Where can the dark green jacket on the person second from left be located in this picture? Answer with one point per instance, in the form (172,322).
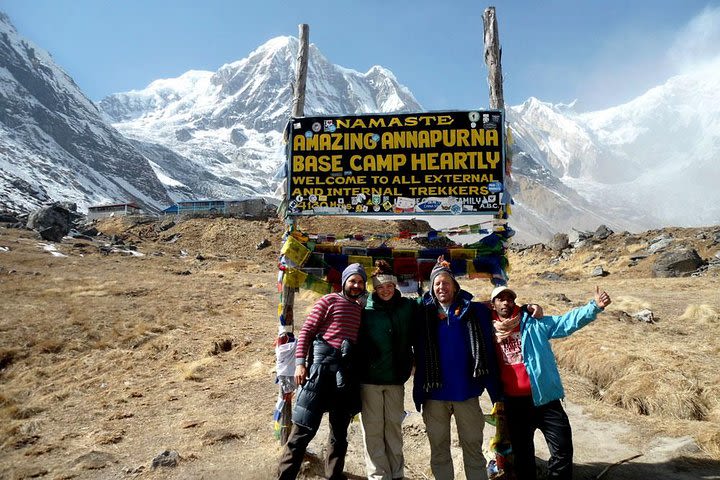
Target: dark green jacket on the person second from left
(385,340)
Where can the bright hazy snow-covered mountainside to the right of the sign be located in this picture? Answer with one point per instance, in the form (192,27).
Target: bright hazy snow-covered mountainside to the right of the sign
(653,161)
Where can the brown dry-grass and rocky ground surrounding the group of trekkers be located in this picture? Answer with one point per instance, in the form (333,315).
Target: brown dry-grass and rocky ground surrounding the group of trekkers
(113,352)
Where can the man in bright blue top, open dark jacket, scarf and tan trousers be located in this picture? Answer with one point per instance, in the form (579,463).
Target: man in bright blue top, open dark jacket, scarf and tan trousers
(455,363)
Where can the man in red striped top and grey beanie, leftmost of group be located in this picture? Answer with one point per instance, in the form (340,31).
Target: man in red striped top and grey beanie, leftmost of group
(324,344)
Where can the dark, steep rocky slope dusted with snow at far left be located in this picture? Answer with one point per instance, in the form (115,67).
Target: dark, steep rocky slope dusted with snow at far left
(54,144)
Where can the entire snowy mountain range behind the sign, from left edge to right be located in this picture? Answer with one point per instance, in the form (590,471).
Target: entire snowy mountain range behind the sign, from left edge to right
(648,163)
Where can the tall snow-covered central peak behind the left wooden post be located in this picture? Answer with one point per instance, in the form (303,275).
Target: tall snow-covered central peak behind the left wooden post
(230,121)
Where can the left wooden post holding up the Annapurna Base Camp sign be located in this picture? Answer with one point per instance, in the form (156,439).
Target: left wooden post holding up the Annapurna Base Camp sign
(288,293)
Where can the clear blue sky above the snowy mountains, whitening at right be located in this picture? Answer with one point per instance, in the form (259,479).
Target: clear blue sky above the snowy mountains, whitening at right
(602,53)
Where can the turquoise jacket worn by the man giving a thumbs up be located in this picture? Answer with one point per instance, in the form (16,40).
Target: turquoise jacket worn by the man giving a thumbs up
(538,357)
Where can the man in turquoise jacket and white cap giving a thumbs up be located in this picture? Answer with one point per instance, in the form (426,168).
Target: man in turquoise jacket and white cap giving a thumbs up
(531,381)
